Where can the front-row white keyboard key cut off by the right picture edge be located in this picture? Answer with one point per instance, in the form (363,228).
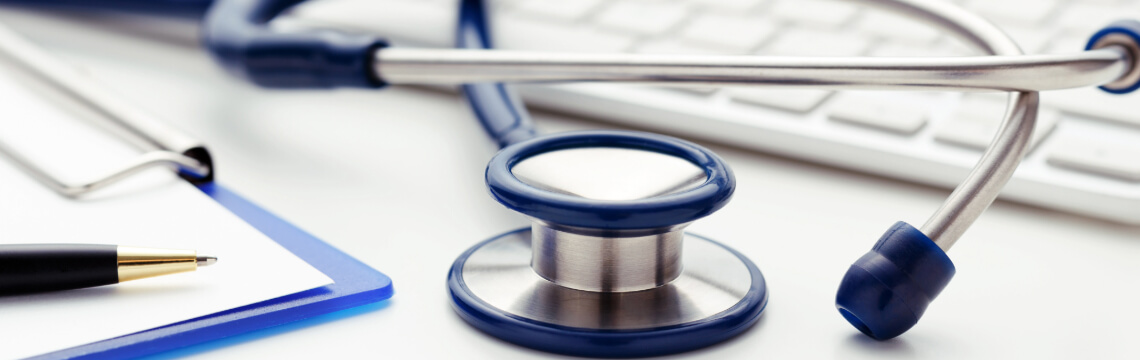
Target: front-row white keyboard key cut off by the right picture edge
(1118,160)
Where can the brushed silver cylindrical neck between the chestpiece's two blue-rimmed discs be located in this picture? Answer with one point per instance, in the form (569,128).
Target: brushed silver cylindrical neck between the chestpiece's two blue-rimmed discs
(621,261)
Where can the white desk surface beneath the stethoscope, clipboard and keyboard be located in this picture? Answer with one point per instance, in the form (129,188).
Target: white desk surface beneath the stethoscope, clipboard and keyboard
(395,178)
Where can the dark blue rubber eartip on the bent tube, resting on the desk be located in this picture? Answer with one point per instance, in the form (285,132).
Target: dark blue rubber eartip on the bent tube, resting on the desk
(886,292)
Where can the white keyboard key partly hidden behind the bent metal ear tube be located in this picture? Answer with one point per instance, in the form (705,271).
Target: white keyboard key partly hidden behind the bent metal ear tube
(976,121)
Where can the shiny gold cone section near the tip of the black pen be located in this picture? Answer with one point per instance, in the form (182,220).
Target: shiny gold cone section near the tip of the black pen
(141,263)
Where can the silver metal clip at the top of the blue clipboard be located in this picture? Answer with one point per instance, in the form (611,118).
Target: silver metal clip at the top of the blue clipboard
(162,145)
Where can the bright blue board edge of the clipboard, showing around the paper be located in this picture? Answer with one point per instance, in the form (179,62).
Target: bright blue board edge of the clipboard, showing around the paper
(356,284)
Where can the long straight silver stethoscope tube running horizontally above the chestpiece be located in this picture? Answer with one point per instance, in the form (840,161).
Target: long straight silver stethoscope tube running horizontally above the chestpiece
(983,73)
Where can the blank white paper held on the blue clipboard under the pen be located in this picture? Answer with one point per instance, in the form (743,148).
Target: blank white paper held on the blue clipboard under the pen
(154,209)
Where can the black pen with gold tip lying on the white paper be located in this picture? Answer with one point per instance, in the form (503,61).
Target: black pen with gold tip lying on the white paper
(35,268)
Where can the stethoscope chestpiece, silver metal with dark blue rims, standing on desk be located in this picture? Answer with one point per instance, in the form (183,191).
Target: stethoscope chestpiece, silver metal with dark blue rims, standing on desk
(606,268)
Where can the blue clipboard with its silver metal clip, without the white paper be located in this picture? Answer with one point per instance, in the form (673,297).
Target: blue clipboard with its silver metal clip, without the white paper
(355,283)
